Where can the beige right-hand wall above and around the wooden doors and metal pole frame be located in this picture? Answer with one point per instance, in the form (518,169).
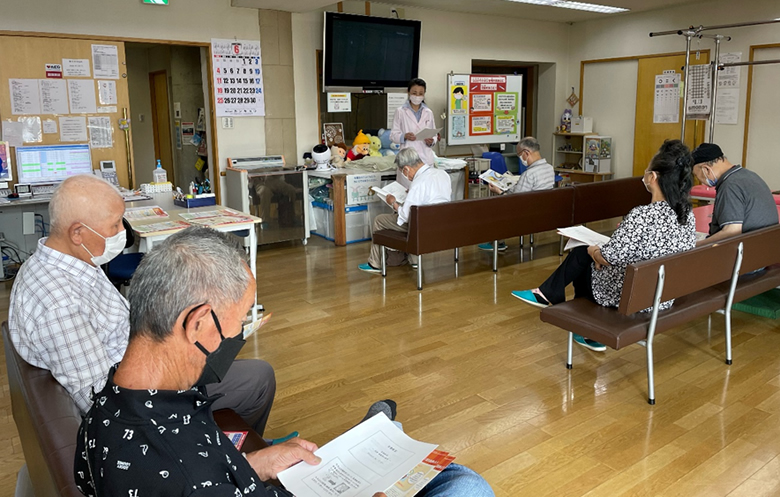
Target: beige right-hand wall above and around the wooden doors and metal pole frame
(627,35)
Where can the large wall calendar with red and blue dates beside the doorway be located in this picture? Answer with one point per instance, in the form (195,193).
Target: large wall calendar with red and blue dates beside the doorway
(238,78)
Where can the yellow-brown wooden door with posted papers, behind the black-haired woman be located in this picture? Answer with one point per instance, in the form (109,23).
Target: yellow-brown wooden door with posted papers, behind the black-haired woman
(648,136)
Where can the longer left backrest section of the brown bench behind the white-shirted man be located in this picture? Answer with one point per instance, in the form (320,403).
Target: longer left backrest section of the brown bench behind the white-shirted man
(487,219)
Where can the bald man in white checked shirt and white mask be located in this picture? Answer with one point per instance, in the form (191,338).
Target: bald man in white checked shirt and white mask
(67,317)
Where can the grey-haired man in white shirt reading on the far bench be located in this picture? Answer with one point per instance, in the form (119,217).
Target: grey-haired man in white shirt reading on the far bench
(429,186)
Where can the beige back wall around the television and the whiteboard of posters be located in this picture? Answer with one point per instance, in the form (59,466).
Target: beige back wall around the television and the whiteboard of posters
(449,43)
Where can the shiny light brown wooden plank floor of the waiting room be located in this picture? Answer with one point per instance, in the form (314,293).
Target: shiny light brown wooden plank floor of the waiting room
(475,370)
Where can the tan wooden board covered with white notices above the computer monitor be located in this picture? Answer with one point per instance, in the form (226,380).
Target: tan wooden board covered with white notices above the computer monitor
(66,83)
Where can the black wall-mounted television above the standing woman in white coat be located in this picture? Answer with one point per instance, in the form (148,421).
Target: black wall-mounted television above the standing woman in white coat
(370,52)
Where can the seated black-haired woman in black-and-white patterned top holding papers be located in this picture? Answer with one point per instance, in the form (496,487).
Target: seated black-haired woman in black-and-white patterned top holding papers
(663,227)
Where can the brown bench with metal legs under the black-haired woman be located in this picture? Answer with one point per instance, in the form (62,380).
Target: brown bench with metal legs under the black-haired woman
(703,280)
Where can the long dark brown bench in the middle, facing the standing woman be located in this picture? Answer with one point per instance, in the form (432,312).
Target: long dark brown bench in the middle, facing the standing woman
(447,226)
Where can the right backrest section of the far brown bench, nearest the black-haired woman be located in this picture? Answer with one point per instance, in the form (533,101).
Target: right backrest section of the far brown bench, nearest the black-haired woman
(607,199)
